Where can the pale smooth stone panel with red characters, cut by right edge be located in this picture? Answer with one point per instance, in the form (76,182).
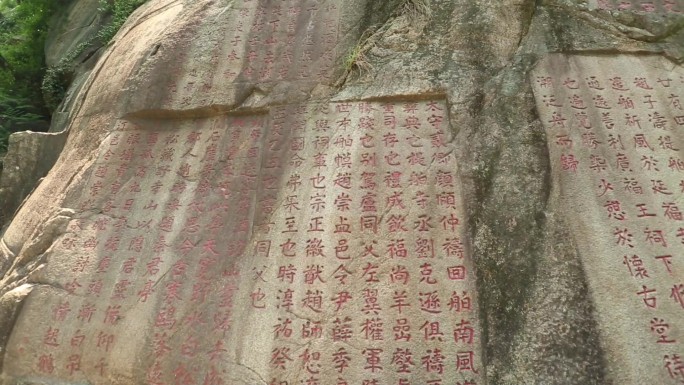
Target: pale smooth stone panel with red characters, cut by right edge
(615,128)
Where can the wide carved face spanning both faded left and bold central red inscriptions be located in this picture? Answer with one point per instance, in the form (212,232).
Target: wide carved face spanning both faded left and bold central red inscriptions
(319,244)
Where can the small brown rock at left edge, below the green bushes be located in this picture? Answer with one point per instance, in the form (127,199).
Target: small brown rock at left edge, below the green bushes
(30,157)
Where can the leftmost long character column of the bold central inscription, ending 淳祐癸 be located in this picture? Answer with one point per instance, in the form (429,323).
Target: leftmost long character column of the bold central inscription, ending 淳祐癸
(288,146)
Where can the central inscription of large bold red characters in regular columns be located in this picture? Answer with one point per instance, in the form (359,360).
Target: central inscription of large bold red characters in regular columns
(359,261)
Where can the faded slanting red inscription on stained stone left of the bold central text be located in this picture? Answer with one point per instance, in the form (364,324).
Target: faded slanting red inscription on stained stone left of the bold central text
(163,220)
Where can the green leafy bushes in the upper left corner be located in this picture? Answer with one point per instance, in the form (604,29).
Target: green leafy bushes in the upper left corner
(29,91)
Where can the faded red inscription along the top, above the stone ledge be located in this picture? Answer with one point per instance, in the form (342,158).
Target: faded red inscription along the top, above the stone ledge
(265,41)
